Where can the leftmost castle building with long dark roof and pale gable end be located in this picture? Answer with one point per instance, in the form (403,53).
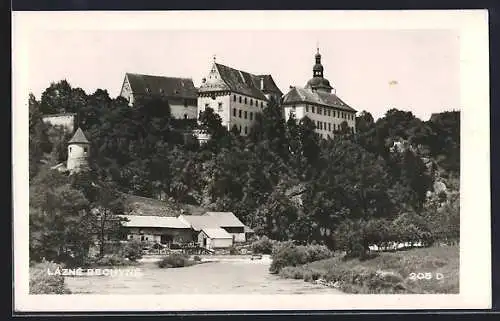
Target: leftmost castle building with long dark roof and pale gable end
(180,93)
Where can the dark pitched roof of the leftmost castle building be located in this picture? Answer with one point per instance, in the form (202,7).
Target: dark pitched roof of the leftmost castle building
(159,85)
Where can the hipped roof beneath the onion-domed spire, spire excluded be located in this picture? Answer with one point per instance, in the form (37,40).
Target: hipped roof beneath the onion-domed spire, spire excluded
(302,95)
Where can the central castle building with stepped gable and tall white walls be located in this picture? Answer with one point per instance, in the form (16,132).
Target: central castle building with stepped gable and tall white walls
(236,95)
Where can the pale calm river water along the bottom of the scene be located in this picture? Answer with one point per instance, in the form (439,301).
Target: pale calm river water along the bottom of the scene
(219,277)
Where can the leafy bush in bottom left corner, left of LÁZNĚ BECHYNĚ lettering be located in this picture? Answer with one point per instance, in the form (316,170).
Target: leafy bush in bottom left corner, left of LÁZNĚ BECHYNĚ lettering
(42,283)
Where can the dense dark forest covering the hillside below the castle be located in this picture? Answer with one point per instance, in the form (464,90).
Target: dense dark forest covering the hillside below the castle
(282,180)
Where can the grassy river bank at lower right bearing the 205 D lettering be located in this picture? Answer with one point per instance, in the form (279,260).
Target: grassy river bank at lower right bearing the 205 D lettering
(419,271)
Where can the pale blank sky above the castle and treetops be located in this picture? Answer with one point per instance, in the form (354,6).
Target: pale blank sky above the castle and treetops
(372,70)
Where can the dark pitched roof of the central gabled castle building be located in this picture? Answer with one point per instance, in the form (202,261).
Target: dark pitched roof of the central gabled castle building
(242,82)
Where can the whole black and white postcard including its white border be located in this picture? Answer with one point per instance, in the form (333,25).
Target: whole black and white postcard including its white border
(226,159)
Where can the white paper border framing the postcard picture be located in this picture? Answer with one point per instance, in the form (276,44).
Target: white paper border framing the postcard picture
(475,240)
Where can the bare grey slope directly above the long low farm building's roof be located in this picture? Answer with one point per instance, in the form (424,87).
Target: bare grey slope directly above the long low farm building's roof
(138,205)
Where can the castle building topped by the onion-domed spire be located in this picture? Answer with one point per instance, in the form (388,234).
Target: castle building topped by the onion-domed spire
(319,102)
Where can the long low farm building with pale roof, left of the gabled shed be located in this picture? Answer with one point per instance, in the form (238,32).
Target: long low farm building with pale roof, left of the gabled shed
(157,229)
